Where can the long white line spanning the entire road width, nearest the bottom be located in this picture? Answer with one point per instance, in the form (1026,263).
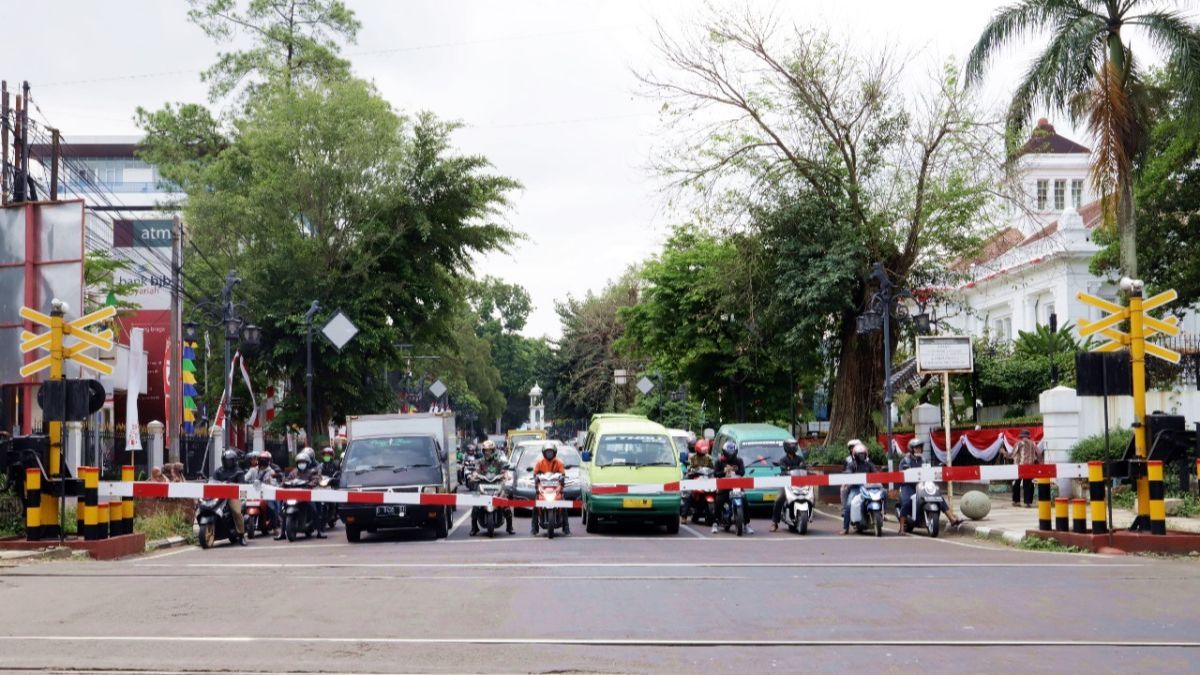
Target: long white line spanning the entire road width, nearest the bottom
(603,642)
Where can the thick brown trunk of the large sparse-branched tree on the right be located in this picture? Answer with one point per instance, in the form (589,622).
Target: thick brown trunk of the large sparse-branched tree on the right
(859,387)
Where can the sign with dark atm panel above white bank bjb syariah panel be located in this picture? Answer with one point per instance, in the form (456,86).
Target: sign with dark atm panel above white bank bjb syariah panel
(146,247)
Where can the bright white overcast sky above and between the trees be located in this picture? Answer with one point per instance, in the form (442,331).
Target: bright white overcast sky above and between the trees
(547,91)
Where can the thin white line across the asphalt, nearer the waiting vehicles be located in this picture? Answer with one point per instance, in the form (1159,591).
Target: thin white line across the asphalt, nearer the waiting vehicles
(889,565)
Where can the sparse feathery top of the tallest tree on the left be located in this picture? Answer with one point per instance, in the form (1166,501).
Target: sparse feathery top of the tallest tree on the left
(292,41)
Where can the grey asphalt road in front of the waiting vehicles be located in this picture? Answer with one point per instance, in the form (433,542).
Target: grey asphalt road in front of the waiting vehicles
(632,600)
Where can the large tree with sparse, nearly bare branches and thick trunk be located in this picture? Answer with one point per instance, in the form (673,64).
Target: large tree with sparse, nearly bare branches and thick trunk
(766,115)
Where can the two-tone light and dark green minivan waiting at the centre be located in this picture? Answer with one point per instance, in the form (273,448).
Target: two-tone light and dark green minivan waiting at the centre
(625,450)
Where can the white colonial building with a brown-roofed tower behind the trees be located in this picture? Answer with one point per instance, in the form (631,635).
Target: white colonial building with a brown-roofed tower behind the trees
(1037,265)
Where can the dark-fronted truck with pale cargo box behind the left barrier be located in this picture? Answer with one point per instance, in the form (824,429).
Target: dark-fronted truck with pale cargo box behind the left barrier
(399,453)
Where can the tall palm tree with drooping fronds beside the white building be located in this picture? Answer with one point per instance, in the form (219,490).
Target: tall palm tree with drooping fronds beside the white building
(1088,71)
